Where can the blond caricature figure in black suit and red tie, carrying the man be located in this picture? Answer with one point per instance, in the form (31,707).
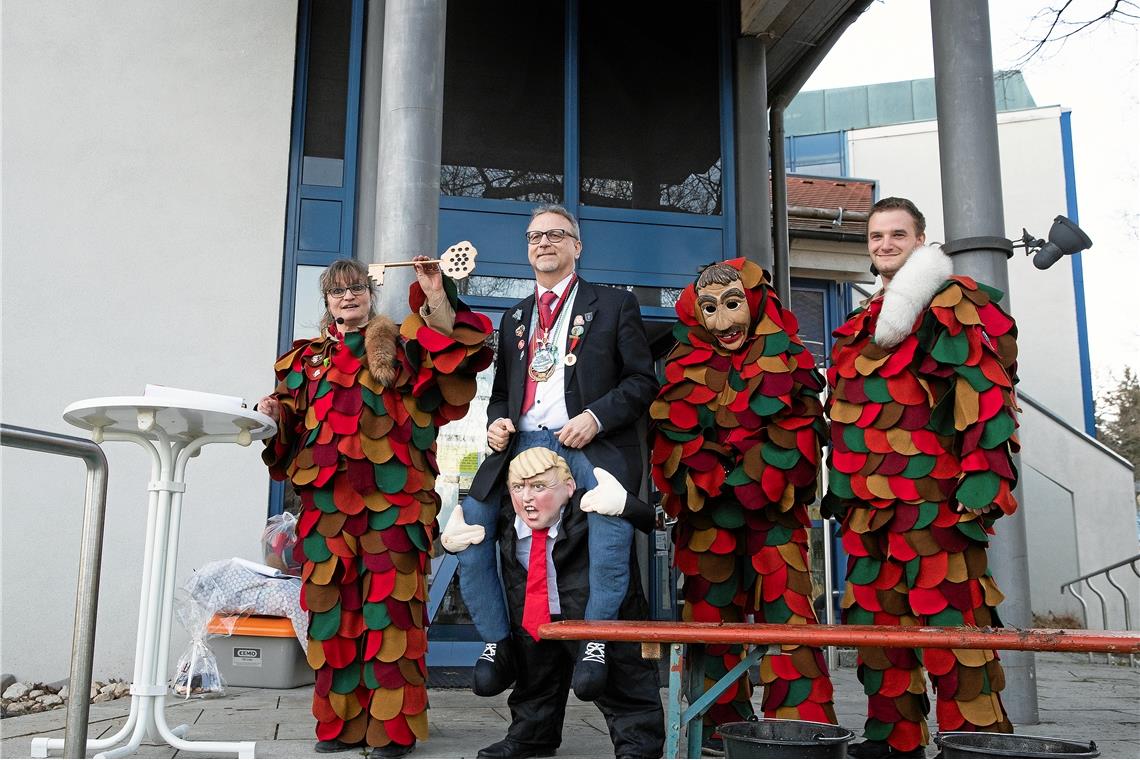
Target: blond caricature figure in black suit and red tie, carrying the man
(543,538)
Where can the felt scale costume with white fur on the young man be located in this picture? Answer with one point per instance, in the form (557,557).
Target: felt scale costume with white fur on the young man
(923,421)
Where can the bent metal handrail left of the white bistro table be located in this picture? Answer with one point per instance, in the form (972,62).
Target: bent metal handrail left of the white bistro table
(87,596)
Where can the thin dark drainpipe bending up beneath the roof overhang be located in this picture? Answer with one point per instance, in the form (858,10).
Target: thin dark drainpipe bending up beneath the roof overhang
(781,267)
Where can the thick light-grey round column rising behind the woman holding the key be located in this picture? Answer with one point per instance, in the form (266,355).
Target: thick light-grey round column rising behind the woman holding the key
(412,136)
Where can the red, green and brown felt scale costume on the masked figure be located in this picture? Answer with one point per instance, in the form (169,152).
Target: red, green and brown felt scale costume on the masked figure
(736,456)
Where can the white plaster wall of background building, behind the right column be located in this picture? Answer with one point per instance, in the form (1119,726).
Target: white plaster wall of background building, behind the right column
(905,159)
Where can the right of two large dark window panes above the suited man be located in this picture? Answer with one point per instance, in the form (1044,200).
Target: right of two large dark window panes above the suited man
(650,108)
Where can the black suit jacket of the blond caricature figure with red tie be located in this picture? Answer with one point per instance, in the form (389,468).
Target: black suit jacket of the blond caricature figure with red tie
(572,561)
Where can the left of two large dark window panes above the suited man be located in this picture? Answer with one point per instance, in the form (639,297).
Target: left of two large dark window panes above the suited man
(503,101)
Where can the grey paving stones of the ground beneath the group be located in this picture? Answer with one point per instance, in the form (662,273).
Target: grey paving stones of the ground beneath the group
(1078,700)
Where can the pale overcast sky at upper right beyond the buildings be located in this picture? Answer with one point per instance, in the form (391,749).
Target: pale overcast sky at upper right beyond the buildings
(1097,77)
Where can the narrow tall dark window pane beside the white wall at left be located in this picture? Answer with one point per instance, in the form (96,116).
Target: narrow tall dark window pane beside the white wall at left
(327,95)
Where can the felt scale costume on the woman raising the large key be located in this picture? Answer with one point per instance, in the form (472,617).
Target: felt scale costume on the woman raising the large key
(357,440)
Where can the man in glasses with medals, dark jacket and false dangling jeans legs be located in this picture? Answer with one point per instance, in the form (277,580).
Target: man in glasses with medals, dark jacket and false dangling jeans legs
(574,375)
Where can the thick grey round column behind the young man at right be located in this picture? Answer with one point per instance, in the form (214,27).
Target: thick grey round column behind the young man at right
(972,199)
